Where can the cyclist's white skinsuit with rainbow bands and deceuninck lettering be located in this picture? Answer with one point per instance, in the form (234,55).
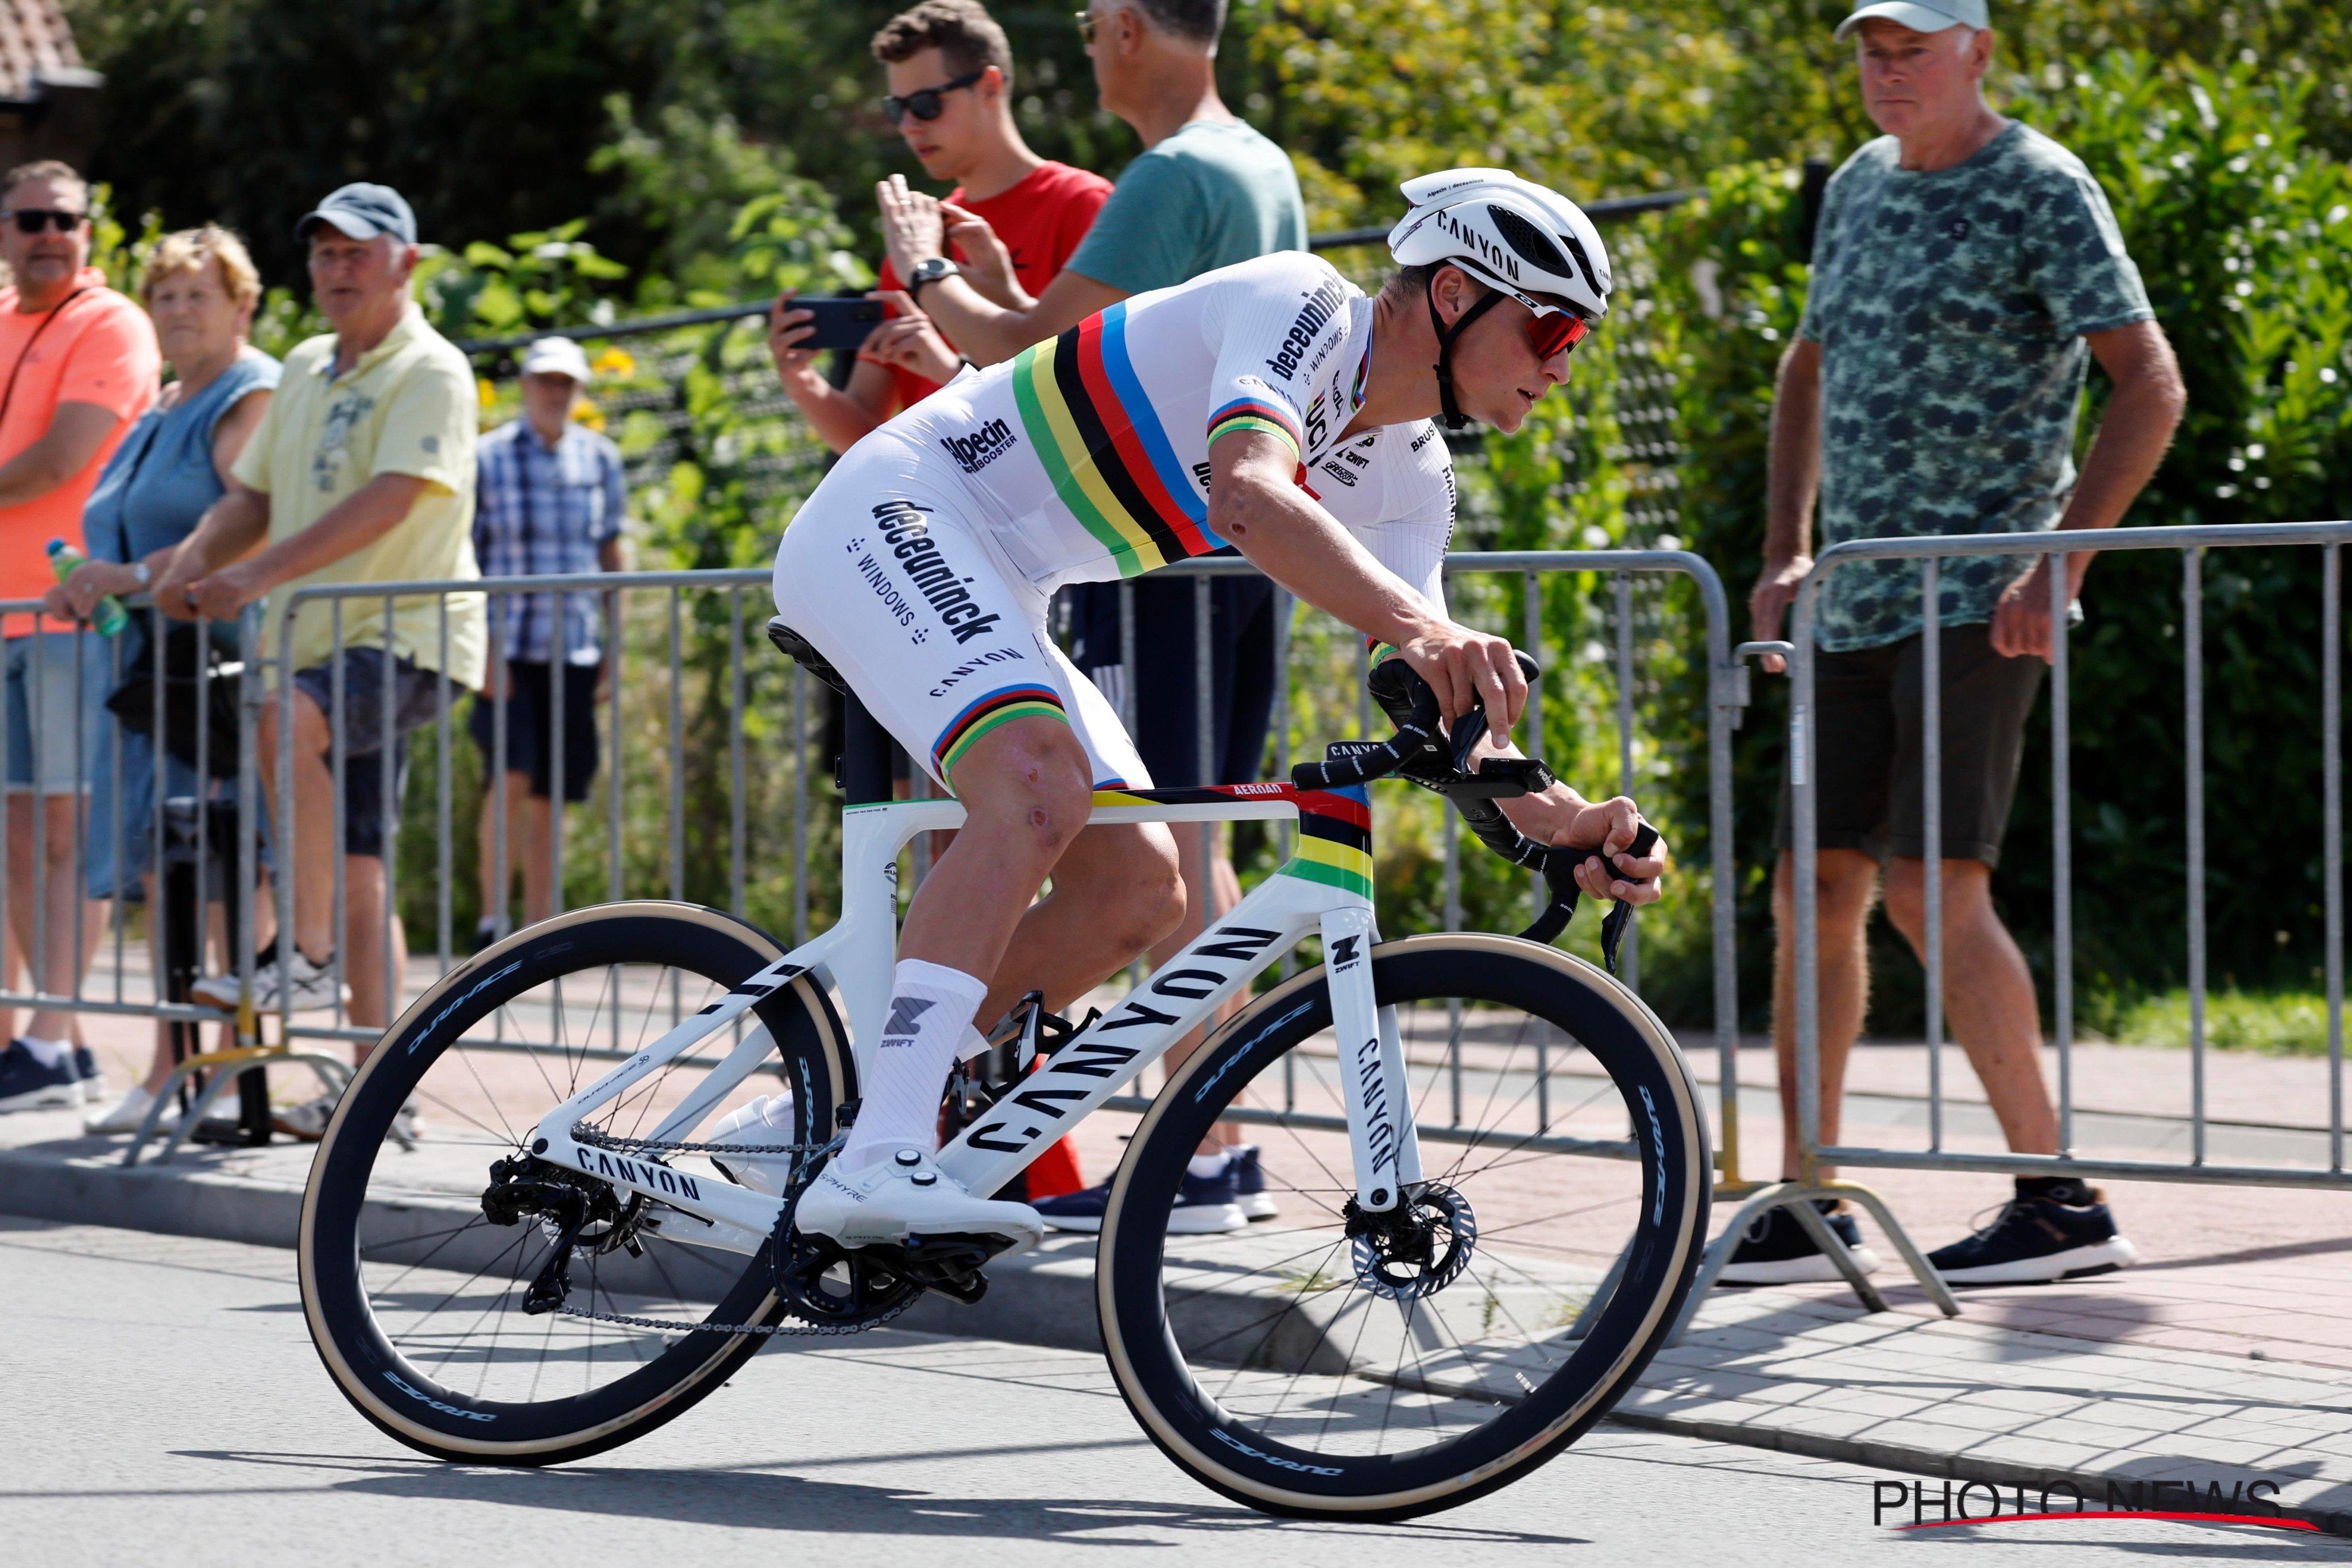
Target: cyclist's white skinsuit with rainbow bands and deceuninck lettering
(926,561)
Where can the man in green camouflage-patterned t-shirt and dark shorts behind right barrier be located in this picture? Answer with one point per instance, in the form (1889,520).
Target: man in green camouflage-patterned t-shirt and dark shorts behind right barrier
(1965,274)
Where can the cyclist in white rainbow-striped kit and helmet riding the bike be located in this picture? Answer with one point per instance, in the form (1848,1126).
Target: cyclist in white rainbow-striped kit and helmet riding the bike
(1269,406)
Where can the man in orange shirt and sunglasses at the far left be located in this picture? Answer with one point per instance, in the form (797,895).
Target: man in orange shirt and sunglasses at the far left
(79,366)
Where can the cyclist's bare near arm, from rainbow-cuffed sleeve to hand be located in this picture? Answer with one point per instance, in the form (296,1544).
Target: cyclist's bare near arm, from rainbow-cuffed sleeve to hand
(1257,504)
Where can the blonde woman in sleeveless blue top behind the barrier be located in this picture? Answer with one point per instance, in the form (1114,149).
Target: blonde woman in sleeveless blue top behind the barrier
(201,288)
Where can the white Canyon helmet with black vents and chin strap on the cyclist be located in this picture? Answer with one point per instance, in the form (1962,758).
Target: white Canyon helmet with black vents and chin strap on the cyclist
(1514,236)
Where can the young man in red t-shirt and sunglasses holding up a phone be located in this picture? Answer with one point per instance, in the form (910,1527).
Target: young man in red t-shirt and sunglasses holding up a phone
(1015,217)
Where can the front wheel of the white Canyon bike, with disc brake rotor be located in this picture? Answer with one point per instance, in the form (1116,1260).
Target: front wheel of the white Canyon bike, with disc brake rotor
(1318,1367)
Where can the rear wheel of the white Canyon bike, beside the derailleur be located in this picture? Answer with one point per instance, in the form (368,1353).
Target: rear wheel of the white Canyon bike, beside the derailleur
(415,1294)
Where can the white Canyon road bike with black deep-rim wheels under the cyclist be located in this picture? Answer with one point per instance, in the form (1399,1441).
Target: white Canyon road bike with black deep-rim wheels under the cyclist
(1488,1162)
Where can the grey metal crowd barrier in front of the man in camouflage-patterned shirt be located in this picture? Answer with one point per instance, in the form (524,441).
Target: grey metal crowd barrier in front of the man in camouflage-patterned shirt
(1805,831)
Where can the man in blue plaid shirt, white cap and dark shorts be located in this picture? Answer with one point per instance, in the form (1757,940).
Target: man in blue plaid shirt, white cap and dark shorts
(552,502)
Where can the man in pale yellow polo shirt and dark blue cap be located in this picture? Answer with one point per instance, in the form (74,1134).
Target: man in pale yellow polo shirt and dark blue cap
(359,474)
